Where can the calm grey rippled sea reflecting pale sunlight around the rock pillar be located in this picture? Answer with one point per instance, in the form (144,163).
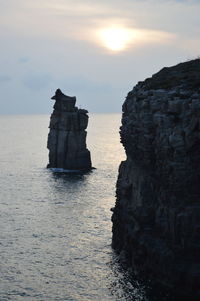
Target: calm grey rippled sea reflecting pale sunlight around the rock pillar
(55,237)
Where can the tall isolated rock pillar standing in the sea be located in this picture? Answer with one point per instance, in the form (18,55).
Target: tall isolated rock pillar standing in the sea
(67,135)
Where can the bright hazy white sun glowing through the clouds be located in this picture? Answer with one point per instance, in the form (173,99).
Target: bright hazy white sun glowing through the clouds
(115,38)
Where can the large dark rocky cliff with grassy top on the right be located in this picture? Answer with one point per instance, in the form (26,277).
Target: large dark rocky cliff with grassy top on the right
(156,219)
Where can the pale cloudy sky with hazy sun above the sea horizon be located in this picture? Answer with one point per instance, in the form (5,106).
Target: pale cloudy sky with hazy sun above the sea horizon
(96,50)
